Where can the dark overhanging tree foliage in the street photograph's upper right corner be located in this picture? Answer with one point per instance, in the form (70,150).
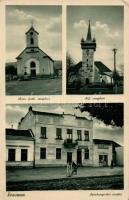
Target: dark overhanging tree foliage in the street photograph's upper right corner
(109,113)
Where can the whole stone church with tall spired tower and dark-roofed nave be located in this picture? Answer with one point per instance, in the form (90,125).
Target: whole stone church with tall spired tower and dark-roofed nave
(90,71)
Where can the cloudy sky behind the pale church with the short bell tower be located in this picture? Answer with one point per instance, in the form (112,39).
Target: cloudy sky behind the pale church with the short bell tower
(46,20)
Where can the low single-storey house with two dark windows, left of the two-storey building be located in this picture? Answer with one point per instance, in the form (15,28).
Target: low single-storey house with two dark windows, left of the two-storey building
(19,148)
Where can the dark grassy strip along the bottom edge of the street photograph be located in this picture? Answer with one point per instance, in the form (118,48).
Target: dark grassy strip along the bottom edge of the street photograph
(89,183)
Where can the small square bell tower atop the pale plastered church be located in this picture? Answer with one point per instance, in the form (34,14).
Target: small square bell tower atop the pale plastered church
(32,37)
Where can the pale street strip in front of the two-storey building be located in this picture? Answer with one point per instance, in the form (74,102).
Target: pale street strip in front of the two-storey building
(14,175)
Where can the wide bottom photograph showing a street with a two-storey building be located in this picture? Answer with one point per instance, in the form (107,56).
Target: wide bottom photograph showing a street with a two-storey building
(64,147)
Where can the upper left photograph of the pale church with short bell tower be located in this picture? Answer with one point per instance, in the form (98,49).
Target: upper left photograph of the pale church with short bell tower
(33,50)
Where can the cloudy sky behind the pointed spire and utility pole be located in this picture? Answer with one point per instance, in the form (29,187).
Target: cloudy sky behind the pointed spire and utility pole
(106,25)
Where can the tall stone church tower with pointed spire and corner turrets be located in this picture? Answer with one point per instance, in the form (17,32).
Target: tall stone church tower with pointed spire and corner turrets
(88,46)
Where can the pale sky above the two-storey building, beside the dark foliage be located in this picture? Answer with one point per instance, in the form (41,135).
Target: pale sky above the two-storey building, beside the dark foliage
(14,112)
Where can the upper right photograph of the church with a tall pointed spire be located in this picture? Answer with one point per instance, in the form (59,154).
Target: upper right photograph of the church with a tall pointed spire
(95,63)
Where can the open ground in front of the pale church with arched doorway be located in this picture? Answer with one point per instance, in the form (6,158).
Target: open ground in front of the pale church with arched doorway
(34,87)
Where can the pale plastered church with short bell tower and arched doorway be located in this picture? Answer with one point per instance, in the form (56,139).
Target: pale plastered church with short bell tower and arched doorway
(32,61)
